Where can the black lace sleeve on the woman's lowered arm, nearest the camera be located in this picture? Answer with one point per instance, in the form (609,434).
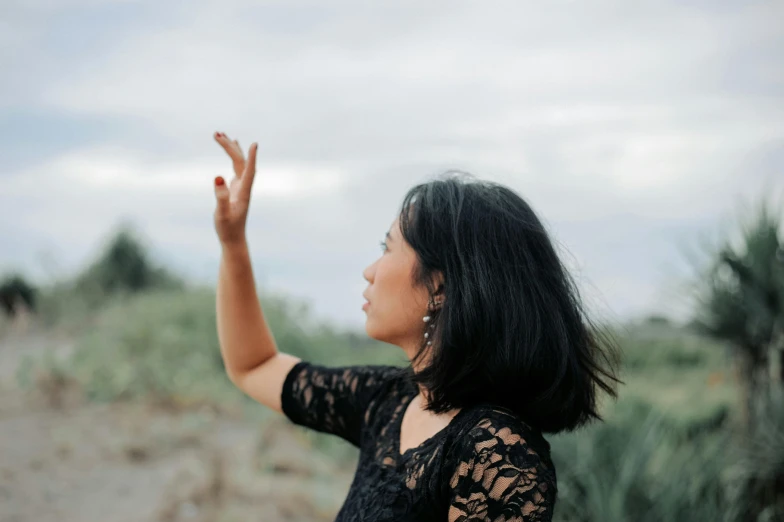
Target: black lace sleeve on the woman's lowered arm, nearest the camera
(499,477)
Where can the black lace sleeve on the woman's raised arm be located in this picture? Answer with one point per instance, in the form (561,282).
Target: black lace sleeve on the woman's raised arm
(332,400)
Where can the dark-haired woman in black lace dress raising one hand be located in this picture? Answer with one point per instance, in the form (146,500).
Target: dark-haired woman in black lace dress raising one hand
(470,288)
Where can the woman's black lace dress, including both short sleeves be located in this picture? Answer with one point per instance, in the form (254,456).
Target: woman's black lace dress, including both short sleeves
(486,465)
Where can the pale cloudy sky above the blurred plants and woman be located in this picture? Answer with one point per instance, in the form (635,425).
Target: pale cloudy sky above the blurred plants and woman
(632,128)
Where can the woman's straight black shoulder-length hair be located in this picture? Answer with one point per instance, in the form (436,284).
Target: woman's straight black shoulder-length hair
(512,330)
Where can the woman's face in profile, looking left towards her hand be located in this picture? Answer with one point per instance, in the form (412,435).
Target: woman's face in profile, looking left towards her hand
(396,308)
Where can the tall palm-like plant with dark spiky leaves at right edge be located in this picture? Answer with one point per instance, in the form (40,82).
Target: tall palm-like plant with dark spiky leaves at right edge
(743,304)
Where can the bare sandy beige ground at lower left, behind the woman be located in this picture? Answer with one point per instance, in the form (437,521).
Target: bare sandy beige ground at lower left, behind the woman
(66,460)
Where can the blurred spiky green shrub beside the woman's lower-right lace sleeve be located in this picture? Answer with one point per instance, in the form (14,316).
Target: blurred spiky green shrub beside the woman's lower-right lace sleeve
(632,468)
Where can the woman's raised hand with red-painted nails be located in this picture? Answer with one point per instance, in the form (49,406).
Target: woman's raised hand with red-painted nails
(231,212)
